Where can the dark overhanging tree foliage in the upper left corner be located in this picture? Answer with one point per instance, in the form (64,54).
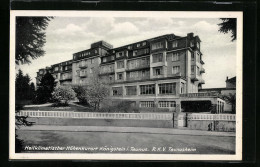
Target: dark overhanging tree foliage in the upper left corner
(30,38)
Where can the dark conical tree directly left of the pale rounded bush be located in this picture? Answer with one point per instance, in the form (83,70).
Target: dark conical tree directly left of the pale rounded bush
(45,88)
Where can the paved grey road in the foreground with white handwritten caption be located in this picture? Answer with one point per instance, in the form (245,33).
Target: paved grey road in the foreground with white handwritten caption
(126,140)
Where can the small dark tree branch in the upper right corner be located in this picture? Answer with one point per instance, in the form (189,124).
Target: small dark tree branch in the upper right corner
(229,25)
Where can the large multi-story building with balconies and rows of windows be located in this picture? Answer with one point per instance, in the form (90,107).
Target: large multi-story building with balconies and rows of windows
(163,72)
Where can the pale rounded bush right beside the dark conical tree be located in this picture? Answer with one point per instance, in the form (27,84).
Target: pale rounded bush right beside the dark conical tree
(63,94)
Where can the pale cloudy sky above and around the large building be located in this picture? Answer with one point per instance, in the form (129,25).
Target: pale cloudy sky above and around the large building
(68,35)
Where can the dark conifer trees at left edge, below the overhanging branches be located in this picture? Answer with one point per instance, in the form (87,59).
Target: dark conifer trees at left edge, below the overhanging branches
(24,90)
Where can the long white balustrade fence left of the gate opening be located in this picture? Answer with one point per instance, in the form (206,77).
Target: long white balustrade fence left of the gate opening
(94,115)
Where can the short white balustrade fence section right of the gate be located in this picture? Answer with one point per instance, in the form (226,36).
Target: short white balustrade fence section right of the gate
(215,117)
